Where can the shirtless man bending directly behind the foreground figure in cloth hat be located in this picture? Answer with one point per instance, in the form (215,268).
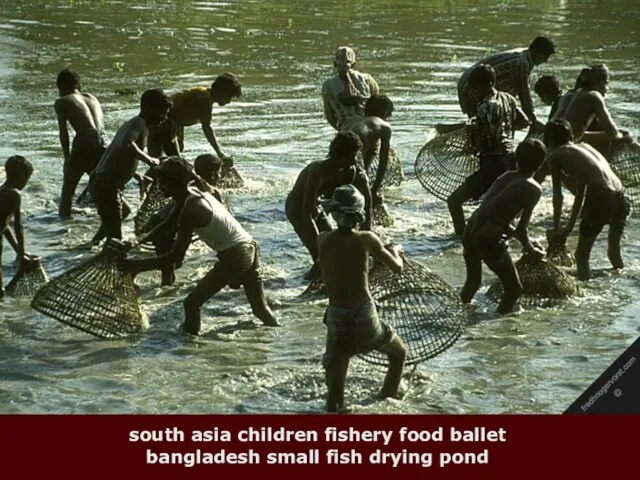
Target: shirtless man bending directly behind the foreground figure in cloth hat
(320,178)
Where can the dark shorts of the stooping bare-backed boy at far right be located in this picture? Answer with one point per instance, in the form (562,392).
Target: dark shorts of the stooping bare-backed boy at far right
(603,207)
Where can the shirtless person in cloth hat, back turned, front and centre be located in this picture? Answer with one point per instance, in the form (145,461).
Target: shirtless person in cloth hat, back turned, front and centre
(352,321)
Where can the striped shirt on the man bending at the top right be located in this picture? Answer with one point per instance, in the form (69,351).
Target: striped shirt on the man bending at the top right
(513,68)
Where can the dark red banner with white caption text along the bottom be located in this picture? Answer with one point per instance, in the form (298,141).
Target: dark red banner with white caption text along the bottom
(203,446)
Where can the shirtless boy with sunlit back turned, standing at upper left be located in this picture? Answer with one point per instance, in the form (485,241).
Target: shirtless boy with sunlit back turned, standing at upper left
(84,113)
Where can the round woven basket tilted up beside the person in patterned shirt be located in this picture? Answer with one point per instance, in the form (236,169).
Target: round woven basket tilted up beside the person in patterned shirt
(445,162)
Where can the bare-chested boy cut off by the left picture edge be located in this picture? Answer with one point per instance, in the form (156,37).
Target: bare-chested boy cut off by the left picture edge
(18,171)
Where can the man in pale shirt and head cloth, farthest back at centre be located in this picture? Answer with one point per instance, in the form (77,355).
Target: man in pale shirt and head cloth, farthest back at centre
(344,95)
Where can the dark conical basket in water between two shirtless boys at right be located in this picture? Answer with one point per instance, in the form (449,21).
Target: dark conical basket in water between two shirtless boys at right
(544,284)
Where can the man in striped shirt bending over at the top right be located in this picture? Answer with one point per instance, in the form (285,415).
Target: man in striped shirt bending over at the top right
(512,68)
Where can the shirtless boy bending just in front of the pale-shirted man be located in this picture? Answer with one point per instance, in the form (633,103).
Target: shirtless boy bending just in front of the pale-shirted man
(371,129)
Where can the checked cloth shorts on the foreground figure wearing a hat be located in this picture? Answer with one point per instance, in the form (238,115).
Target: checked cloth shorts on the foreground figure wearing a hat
(354,331)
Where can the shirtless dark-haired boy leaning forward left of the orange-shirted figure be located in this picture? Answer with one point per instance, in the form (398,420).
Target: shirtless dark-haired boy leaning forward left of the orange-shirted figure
(119,163)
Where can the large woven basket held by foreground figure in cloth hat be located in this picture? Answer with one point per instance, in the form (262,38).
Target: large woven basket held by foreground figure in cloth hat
(423,309)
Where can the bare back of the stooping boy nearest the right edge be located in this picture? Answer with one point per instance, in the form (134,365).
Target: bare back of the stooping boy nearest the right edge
(586,164)
